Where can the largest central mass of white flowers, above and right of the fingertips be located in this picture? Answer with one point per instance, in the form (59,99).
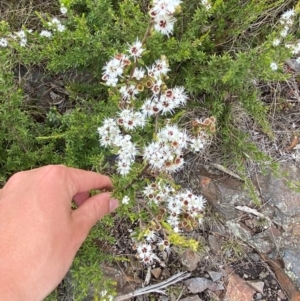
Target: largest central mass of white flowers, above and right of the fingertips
(166,153)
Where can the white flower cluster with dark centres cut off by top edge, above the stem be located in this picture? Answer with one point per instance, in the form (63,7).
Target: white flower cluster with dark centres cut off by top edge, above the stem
(162,14)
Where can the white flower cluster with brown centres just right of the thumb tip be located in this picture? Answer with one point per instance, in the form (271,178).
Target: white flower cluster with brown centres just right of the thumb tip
(184,208)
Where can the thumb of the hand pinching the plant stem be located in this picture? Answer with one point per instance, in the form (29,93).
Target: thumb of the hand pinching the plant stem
(91,211)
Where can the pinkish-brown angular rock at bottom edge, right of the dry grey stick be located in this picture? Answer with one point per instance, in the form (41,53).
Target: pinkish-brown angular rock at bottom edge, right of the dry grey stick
(238,289)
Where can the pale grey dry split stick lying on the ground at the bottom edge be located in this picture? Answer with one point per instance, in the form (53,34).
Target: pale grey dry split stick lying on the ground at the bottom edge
(155,287)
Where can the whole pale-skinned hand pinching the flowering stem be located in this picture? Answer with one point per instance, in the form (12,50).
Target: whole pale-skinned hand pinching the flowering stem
(40,233)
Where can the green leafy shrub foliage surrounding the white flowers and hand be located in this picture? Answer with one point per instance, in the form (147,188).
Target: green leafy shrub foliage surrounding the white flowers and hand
(216,54)
